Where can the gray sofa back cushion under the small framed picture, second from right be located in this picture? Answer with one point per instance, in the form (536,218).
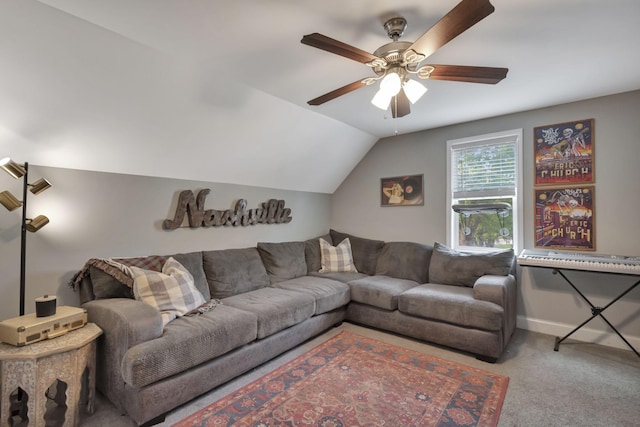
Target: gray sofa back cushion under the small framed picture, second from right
(405,260)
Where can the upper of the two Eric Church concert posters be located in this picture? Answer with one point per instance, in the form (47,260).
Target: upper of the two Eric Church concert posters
(564,153)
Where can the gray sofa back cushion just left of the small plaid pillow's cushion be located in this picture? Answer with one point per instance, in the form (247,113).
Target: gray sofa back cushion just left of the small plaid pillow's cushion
(283,261)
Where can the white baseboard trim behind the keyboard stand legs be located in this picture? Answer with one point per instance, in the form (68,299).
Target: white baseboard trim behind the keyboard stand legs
(608,338)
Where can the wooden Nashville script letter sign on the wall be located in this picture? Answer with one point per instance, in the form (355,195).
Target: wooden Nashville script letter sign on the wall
(270,212)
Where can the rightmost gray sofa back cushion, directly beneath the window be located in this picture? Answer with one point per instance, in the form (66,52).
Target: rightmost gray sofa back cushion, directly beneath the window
(450,267)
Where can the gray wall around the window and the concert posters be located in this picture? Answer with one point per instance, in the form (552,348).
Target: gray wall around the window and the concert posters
(546,303)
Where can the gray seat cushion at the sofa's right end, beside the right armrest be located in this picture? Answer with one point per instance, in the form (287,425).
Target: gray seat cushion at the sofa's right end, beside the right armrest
(451,304)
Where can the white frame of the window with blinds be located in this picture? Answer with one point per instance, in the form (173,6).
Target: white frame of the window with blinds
(514,135)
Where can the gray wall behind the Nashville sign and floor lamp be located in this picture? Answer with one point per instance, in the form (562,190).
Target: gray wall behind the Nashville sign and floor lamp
(103,215)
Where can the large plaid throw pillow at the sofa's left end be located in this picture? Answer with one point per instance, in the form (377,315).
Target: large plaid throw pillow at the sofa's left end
(171,291)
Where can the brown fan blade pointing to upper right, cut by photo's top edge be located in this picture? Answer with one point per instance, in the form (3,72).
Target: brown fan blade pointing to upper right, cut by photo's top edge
(462,17)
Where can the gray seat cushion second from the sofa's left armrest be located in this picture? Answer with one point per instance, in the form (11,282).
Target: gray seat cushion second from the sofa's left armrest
(276,309)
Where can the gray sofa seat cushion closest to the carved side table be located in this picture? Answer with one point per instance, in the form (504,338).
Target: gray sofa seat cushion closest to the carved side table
(187,342)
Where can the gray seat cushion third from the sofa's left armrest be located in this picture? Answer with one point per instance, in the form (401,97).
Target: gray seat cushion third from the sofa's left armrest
(329,294)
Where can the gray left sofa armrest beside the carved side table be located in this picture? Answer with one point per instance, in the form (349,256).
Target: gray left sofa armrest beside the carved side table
(125,323)
